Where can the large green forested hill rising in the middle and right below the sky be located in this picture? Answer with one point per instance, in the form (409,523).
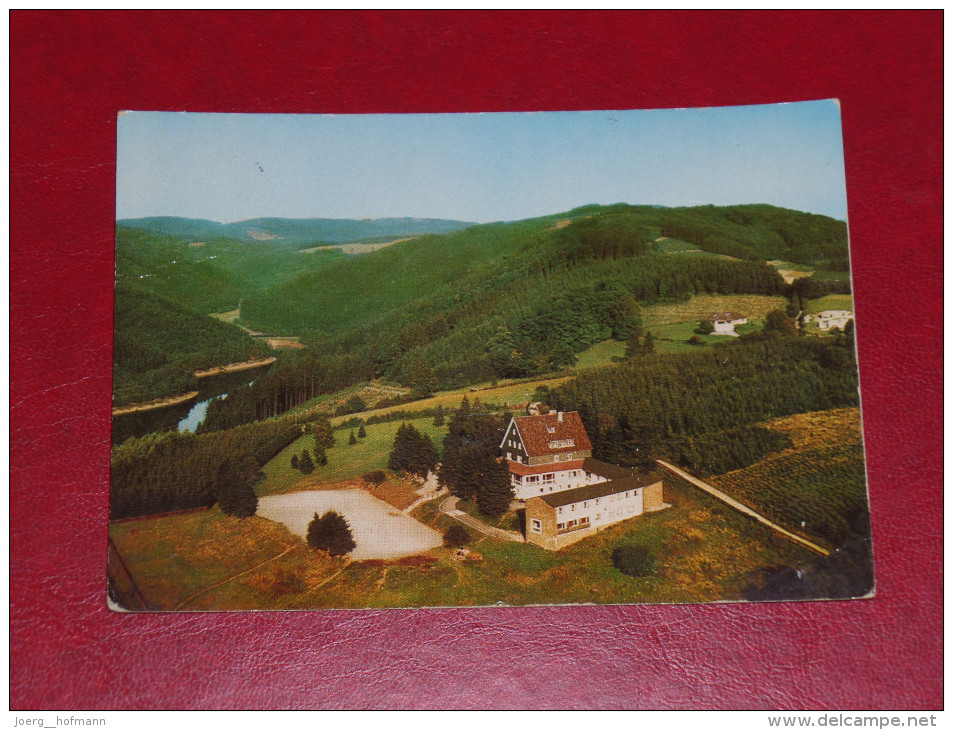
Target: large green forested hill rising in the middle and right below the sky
(518,299)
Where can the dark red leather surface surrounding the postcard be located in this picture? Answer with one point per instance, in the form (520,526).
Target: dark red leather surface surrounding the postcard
(72,72)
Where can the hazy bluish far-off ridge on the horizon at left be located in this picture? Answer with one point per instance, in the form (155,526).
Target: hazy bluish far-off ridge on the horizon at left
(295,232)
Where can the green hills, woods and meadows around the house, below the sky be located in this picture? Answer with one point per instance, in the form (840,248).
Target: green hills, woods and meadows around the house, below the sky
(450,329)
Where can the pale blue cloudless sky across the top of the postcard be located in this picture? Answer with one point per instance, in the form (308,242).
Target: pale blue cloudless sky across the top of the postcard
(477,167)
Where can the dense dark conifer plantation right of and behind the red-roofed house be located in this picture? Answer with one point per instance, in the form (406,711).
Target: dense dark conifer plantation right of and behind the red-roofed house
(700,408)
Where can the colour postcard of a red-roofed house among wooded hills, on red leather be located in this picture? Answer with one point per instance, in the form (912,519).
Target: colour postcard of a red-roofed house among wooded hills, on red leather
(423,360)
